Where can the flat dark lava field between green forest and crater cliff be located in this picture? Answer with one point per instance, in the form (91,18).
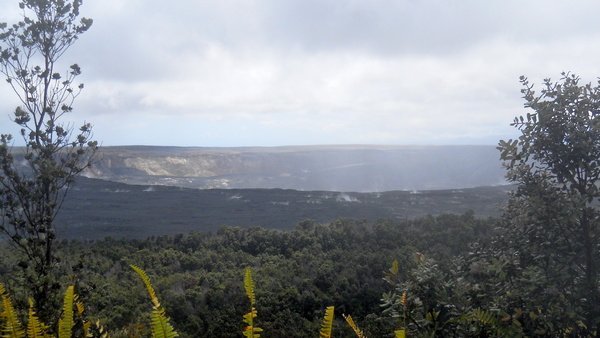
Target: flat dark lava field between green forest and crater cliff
(95,208)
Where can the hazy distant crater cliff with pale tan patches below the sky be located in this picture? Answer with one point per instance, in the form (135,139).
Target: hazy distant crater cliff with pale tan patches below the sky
(334,168)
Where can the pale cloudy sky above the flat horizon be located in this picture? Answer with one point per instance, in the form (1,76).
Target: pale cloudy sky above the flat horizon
(302,72)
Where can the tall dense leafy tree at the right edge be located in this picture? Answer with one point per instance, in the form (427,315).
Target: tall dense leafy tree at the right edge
(552,219)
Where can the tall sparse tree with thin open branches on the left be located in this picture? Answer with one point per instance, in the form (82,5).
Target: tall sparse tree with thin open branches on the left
(35,179)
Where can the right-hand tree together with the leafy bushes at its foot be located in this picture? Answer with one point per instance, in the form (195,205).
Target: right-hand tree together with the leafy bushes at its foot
(538,274)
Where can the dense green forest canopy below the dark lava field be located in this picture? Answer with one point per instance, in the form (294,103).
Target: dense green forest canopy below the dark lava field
(199,276)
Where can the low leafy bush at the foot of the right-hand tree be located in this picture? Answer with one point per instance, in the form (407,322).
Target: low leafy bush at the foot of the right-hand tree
(434,302)
